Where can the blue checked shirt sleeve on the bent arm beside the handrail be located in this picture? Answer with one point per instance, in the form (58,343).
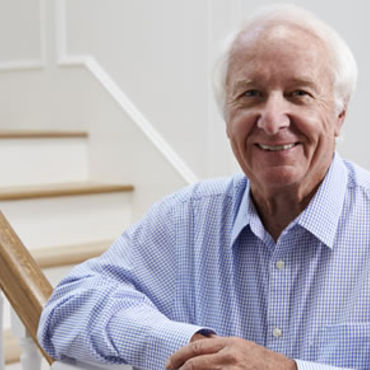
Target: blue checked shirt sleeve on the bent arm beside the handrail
(118,308)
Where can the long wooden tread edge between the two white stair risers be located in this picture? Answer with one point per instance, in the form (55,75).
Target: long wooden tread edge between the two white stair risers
(60,190)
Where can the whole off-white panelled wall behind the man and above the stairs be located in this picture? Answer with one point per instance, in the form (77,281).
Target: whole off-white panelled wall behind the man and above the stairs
(159,55)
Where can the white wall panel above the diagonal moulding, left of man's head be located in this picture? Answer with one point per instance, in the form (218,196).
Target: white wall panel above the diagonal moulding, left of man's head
(160,53)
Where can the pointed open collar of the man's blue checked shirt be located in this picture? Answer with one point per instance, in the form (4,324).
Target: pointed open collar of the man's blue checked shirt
(321,216)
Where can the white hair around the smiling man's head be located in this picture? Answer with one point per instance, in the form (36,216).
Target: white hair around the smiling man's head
(343,63)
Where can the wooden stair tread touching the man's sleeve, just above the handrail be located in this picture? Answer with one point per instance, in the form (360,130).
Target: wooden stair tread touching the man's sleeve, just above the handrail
(70,254)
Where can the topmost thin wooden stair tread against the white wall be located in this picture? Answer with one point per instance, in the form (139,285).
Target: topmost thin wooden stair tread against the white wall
(41,134)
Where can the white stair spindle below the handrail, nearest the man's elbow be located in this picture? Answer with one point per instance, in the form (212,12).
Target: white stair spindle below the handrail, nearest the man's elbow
(30,356)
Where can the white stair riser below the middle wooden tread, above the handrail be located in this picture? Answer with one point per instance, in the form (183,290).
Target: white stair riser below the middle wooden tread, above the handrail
(68,220)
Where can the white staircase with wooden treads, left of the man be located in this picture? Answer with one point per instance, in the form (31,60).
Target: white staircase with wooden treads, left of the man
(59,213)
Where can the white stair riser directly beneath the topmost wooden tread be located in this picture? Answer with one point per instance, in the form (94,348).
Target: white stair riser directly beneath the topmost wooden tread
(37,161)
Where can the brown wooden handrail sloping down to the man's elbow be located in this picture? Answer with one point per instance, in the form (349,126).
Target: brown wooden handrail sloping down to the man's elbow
(22,281)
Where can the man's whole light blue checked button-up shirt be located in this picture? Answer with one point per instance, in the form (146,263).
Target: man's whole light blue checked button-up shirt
(201,258)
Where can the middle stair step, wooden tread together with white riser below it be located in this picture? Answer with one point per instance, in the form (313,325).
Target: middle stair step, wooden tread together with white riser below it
(67,214)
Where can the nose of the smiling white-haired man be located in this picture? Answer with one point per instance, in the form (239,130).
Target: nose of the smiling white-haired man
(274,115)
